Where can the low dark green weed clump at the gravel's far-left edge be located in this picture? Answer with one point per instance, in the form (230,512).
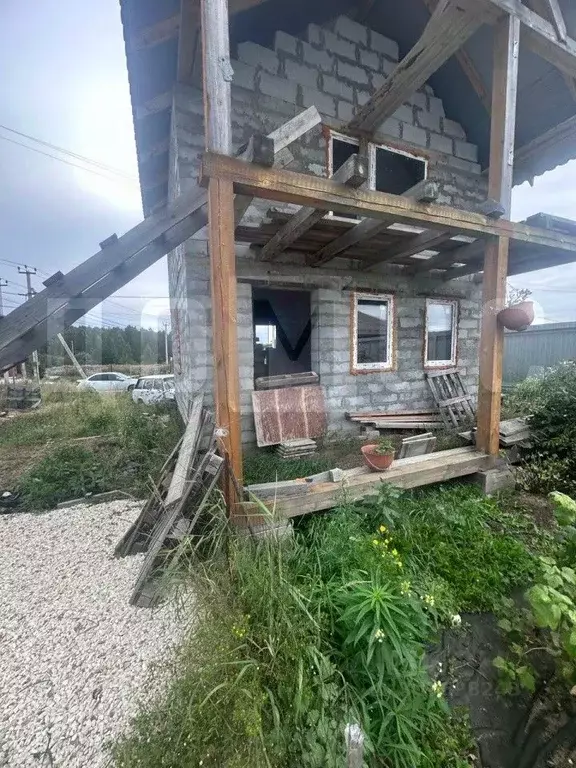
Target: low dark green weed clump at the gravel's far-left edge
(67,473)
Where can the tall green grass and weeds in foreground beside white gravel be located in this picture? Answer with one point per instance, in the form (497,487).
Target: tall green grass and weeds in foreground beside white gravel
(295,639)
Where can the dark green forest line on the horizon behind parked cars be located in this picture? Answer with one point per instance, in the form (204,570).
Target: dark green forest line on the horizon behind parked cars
(108,346)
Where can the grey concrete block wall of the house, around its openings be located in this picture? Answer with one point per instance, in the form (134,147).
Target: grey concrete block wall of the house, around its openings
(335,68)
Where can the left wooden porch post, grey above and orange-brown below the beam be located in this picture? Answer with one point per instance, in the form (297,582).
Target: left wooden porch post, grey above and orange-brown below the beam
(217,78)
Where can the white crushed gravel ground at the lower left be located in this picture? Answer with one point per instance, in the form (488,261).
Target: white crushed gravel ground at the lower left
(73,653)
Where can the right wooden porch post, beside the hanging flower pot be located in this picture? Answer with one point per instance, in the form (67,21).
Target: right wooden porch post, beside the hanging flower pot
(504,92)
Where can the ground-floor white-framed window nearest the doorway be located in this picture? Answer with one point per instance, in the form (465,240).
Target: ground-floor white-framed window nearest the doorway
(372,332)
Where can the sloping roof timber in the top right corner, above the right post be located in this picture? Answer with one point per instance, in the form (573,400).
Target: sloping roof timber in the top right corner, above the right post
(541,36)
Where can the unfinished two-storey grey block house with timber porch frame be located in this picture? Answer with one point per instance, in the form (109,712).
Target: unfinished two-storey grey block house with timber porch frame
(358,158)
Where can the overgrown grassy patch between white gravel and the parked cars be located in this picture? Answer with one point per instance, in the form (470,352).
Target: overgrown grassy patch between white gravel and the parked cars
(134,444)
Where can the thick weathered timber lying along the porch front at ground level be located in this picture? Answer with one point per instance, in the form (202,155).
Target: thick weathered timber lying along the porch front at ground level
(404,473)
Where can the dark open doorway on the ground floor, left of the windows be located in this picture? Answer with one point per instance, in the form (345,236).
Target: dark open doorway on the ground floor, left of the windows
(282,331)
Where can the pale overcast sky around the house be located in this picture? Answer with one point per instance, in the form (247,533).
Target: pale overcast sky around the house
(64,81)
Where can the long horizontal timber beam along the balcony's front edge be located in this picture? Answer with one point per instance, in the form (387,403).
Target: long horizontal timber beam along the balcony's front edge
(305,189)
